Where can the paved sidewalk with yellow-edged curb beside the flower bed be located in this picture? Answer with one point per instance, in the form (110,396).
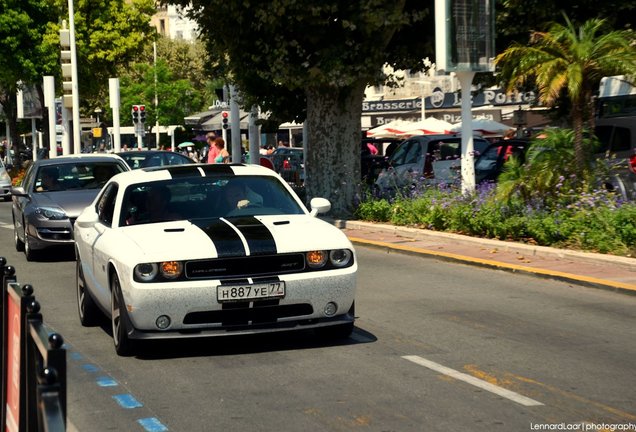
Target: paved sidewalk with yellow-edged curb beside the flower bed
(591,269)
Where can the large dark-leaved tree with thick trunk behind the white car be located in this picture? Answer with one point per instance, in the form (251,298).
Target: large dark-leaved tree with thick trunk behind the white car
(281,52)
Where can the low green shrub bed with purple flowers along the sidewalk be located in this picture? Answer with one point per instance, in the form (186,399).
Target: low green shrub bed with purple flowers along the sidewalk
(594,222)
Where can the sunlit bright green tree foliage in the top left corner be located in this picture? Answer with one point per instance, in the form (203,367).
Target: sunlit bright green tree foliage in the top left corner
(108,34)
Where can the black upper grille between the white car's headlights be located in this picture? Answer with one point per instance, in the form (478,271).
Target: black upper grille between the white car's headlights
(223,268)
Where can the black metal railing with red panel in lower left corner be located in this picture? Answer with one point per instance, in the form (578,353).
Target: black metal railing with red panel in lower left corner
(33,378)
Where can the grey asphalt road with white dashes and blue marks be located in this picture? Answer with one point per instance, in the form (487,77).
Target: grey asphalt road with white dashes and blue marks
(437,347)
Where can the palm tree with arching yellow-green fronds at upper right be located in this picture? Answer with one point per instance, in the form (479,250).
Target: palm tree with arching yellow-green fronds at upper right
(568,61)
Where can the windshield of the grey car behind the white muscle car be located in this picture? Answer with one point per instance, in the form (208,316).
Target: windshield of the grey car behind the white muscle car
(77,175)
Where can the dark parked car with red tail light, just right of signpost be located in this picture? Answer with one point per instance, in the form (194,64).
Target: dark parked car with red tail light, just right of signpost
(489,164)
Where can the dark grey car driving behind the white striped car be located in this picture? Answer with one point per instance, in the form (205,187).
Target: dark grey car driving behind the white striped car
(53,193)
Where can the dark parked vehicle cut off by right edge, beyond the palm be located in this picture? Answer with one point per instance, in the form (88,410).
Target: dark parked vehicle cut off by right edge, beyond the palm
(617,137)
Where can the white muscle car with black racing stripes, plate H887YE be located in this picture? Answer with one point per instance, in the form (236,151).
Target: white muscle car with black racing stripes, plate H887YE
(230,249)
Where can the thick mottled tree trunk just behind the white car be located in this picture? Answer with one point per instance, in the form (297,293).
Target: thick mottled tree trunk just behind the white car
(333,146)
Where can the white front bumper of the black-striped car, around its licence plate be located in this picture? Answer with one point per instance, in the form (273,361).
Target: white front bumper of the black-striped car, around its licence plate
(194,310)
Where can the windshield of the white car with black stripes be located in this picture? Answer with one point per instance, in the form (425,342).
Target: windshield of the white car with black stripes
(206,197)
